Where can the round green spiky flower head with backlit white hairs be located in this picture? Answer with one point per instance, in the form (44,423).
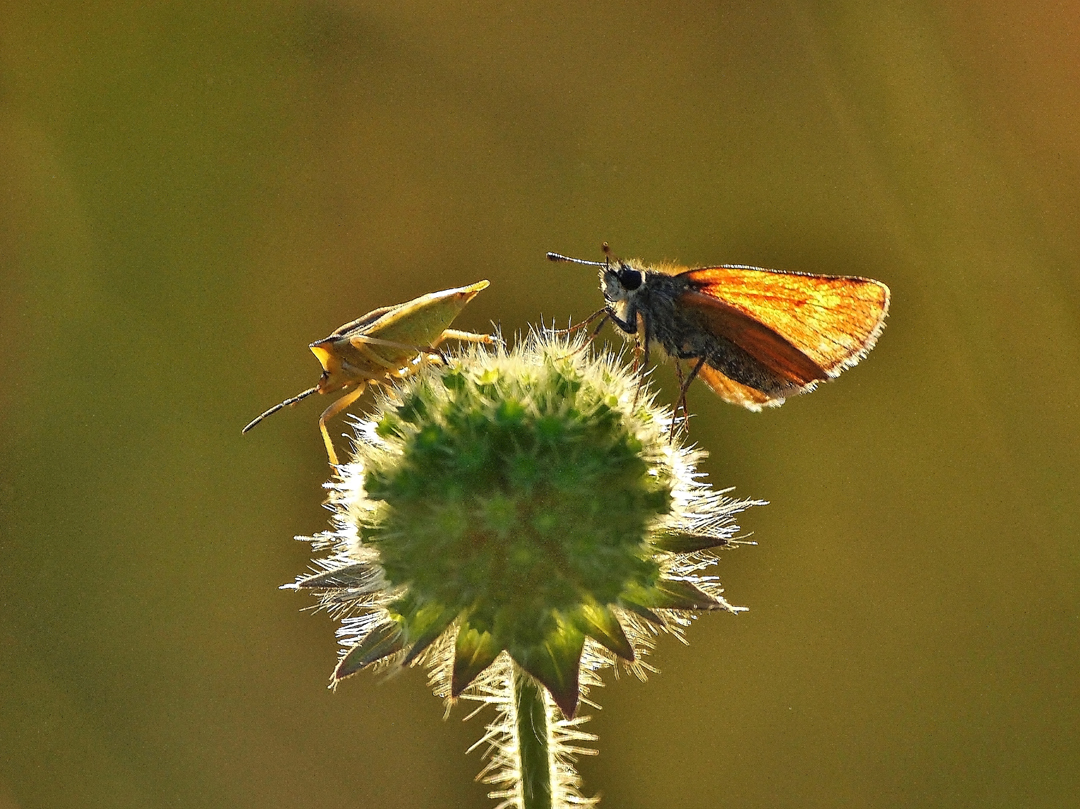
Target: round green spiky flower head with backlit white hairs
(525,503)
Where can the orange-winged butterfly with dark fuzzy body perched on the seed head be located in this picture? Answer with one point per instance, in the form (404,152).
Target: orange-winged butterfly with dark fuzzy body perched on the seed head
(759,336)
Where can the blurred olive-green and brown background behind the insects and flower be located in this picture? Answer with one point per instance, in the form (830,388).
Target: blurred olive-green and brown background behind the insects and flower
(192,193)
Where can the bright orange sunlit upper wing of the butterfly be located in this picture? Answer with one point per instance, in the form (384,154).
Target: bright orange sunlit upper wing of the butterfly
(832,320)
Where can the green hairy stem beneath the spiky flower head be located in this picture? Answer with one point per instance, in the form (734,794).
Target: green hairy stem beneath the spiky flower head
(533,727)
